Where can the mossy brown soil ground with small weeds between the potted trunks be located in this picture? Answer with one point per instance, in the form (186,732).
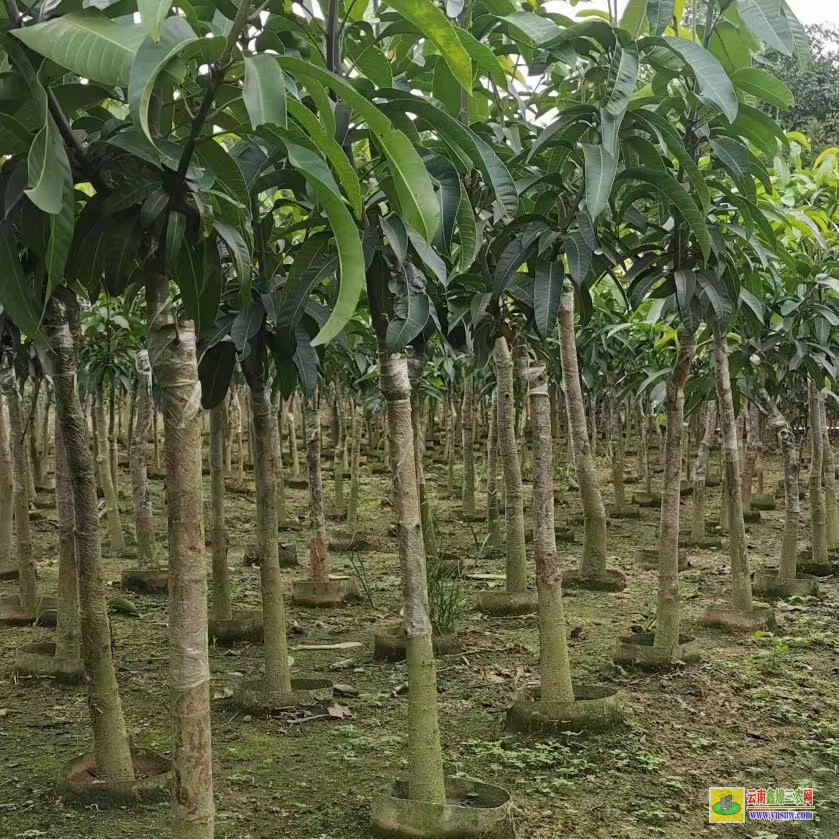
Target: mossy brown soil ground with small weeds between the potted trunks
(755,712)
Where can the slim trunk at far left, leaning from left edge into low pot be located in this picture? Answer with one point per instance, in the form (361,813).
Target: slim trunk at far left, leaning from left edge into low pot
(25,561)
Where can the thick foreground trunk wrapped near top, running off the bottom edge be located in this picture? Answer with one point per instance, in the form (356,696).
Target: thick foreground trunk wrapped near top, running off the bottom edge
(173,359)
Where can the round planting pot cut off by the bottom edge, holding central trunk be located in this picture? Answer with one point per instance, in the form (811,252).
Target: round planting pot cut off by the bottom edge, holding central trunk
(473,810)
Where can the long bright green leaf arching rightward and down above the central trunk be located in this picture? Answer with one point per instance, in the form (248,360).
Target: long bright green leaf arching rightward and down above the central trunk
(418,204)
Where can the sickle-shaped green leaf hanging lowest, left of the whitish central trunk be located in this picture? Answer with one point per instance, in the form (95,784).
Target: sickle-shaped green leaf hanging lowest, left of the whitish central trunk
(350,255)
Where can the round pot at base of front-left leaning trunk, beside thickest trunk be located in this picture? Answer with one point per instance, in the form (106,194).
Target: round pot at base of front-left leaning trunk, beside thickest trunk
(153,776)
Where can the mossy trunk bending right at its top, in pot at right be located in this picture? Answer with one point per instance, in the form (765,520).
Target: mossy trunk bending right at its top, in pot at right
(667,610)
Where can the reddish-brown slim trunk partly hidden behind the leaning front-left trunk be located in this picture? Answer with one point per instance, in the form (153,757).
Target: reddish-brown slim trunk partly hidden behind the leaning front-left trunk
(68,631)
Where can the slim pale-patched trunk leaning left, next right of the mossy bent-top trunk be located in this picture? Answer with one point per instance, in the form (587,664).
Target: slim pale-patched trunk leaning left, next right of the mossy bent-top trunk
(741,584)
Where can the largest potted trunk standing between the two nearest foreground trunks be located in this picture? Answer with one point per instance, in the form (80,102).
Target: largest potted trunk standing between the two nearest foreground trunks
(277,682)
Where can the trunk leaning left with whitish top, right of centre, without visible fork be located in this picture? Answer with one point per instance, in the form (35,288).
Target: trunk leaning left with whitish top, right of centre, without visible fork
(593,560)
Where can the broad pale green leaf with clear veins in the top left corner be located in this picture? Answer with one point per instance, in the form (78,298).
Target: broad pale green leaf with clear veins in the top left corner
(88,44)
